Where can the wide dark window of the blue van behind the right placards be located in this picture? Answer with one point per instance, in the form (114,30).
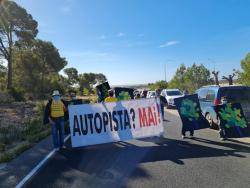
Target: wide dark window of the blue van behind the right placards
(236,94)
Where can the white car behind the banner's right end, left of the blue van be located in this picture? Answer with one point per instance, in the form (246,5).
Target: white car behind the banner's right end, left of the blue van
(170,95)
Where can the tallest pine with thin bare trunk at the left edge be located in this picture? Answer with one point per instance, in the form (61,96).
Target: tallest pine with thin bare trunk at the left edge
(17,27)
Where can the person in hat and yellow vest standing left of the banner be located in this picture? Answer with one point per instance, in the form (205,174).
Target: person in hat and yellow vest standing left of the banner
(54,114)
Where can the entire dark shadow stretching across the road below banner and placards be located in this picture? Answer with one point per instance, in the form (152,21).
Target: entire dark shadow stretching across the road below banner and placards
(113,164)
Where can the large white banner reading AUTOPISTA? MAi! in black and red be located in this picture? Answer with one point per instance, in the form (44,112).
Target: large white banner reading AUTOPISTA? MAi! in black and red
(110,122)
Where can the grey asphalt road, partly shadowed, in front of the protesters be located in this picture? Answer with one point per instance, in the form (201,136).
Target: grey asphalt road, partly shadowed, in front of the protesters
(204,161)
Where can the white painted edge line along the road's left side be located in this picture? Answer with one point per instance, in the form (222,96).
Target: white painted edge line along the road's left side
(37,167)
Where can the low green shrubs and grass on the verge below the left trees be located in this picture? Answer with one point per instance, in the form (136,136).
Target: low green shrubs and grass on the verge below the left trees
(16,139)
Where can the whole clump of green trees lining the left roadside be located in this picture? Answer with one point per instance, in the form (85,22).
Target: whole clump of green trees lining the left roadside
(23,52)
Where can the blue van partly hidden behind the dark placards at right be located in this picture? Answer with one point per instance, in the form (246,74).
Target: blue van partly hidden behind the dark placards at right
(210,96)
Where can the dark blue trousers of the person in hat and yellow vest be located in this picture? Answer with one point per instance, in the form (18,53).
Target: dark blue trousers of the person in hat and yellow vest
(57,130)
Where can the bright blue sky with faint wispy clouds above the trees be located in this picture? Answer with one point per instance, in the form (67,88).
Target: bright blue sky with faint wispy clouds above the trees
(130,41)
